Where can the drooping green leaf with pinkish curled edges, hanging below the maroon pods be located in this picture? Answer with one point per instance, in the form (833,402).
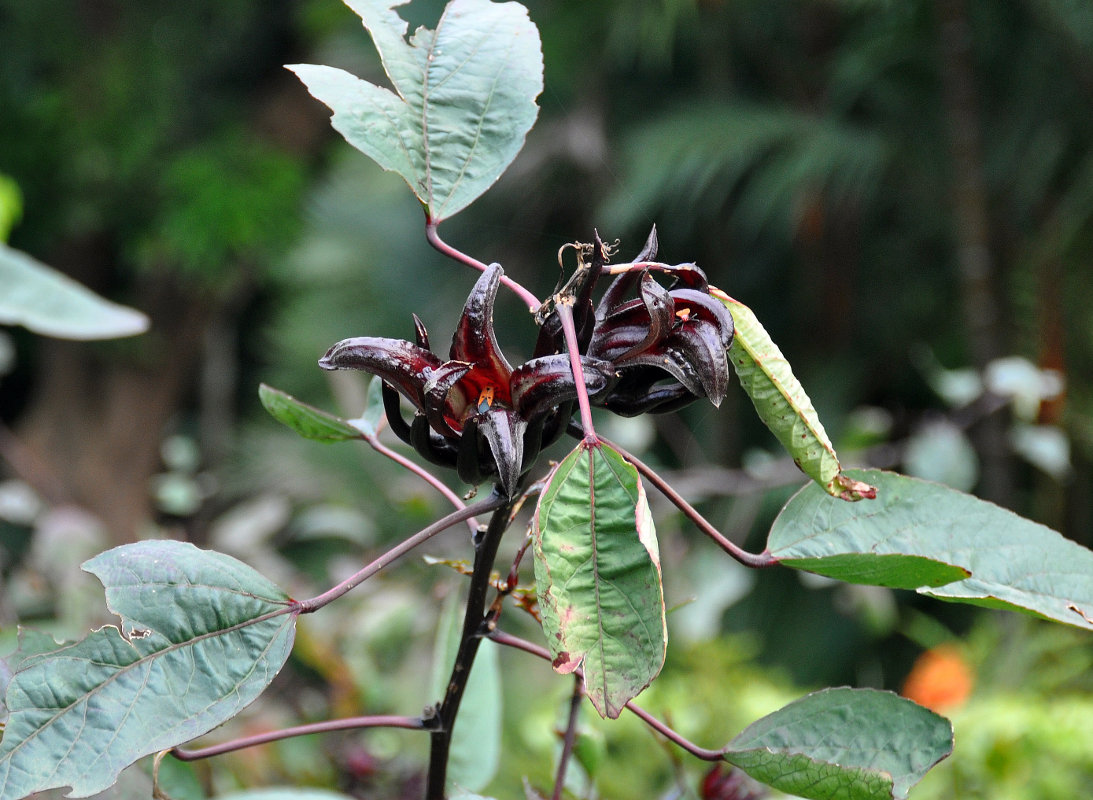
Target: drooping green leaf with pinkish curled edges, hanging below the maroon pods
(598,577)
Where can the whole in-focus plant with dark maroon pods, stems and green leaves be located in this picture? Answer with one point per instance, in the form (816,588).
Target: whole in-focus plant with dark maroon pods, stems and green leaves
(203,634)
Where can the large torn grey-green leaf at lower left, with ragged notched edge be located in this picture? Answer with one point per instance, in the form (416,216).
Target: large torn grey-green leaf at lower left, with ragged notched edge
(202,637)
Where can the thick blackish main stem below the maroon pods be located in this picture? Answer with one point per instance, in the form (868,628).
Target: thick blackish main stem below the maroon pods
(486,552)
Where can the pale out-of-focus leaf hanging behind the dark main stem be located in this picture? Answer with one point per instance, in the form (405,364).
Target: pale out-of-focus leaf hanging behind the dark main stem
(476,742)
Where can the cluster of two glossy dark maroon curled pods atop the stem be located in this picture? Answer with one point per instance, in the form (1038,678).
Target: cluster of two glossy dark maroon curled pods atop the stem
(479,415)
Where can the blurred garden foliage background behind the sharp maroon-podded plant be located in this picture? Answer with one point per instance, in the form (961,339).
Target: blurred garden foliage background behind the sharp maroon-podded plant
(903,193)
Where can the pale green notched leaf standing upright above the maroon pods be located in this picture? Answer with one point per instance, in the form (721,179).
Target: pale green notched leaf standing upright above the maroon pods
(464,101)
